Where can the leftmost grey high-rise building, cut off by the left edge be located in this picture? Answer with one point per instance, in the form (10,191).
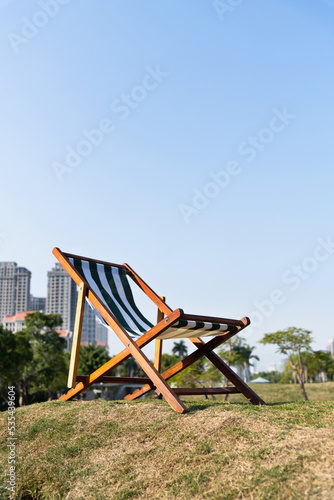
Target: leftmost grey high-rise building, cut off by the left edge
(14,289)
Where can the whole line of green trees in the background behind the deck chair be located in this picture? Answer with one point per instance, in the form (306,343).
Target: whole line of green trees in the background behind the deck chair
(35,360)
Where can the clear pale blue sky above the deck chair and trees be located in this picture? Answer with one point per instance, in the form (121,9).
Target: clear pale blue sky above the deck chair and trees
(186,93)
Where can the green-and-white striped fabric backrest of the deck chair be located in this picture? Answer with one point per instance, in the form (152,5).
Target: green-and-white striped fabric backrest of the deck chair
(111,286)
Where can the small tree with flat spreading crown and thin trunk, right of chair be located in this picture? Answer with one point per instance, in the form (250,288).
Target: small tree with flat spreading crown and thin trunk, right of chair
(290,342)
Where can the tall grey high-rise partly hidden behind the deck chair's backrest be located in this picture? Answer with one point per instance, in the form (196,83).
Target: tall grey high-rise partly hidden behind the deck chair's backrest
(61,299)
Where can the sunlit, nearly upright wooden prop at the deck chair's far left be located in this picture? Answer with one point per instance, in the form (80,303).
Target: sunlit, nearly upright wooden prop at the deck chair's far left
(71,381)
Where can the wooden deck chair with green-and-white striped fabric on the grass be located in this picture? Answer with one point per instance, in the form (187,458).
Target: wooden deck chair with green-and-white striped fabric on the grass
(106,287)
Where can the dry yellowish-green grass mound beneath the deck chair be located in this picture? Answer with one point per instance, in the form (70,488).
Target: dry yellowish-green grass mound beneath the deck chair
(142,449)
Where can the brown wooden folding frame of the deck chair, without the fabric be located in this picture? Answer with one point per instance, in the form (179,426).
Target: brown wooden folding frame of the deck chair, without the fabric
(166,317)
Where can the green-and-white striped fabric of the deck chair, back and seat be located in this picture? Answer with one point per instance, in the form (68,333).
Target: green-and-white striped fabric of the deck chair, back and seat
(111,286)
